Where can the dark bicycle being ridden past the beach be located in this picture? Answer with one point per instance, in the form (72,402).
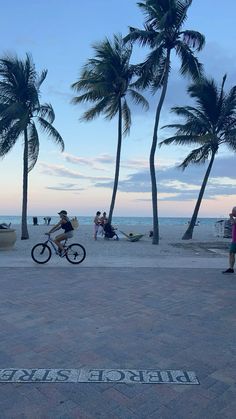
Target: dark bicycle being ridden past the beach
(41,253)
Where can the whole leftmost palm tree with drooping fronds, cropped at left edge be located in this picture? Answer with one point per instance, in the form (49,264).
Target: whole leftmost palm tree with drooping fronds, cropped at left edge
(19,109)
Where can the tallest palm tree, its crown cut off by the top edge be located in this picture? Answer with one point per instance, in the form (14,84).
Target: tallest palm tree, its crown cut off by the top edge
(163,33)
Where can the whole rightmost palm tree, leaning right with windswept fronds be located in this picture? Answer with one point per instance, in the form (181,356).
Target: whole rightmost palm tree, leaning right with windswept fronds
(210,124)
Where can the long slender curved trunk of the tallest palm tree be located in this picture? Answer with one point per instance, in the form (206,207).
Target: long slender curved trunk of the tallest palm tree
(155,239)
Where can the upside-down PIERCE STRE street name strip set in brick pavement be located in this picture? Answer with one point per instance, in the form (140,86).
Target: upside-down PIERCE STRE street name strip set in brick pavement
(87,375)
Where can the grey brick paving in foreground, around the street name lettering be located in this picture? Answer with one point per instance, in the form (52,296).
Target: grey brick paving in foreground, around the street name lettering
(119,318)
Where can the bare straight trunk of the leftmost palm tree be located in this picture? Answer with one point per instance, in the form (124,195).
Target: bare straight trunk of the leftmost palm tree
(24,229)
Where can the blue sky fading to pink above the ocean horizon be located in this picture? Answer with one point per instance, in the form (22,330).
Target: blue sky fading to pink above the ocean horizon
(59,34)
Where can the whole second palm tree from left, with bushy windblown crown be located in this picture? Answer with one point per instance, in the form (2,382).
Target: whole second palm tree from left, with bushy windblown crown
(106,81)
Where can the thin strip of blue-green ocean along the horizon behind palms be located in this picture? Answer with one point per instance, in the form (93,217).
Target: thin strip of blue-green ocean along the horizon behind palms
(88,220)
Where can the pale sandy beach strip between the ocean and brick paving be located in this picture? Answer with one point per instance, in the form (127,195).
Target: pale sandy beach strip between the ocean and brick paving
(171,252)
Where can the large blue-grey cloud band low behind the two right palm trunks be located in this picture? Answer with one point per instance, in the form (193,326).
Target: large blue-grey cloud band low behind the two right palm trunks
(183,185)
